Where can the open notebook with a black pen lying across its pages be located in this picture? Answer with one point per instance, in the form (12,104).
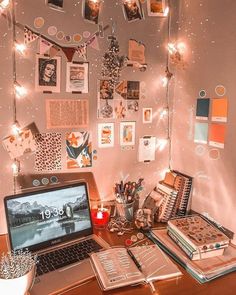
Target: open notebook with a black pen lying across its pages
(118,267)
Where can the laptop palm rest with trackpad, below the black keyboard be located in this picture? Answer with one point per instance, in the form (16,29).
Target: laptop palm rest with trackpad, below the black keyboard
(63,278)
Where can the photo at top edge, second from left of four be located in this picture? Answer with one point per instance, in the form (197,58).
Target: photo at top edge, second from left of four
(91,9)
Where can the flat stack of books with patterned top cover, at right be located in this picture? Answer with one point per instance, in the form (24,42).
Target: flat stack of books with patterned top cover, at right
(198,238)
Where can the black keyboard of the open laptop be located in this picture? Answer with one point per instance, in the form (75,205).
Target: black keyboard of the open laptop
(66,256)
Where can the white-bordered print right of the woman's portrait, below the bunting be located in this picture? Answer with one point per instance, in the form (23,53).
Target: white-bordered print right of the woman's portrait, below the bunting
(77,77)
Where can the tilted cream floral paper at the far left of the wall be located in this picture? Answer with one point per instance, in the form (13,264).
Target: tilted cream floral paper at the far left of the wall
(23,143)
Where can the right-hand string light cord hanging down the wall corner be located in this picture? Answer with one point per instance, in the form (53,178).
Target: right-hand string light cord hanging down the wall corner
(168,76)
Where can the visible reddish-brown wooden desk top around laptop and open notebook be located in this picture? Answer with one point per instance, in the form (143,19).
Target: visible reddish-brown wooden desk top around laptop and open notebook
(184,285)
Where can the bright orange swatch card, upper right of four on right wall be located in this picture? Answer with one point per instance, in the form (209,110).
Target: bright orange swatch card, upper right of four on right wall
(219,109)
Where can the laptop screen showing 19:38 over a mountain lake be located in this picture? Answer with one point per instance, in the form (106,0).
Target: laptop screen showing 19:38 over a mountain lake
(44,218)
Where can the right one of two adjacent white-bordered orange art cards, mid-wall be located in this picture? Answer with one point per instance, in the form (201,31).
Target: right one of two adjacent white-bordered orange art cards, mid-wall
(127,133)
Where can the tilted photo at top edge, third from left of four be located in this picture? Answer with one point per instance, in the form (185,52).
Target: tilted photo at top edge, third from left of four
(132,10)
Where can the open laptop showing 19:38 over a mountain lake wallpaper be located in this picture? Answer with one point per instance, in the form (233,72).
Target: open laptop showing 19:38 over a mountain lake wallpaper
(47,221)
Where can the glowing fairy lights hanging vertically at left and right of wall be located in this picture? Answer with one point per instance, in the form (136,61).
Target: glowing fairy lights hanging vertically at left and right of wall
(174,55)
